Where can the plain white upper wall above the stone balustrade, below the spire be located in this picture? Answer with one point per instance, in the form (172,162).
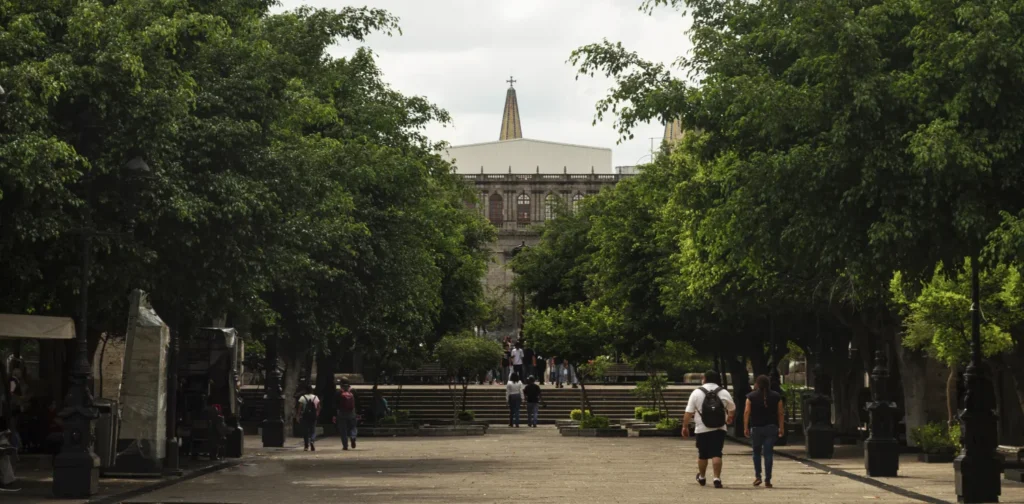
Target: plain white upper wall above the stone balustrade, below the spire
(527,156)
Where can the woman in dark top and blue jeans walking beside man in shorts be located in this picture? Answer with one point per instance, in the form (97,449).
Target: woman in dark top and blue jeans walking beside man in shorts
(764,423)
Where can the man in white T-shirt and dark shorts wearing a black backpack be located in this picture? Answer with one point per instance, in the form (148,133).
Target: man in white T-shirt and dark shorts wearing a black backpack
(715,410)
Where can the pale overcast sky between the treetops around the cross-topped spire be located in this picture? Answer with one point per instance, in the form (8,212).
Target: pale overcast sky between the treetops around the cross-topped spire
(459,54)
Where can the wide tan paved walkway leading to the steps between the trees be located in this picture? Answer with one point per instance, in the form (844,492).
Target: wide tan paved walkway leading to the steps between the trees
(520,466)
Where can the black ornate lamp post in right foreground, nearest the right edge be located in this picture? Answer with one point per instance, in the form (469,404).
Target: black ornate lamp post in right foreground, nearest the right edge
(977,469)
